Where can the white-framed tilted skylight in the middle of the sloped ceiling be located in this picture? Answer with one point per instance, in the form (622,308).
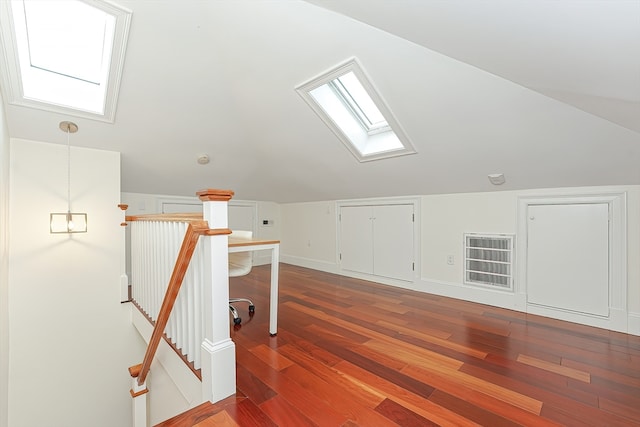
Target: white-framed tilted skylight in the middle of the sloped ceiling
(348,103)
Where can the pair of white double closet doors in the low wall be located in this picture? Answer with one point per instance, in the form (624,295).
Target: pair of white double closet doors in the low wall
(377,240)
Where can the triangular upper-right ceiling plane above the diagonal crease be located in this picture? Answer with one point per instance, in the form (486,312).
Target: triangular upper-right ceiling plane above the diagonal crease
(585,53)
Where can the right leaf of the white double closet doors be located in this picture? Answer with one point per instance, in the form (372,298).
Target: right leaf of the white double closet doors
(393,241)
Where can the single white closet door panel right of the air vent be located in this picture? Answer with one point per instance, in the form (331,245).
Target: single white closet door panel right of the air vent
(568,257)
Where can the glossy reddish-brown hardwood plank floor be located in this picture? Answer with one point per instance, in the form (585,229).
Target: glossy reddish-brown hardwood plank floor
(355,353)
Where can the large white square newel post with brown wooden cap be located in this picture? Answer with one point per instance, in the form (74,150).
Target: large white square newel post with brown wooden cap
(218,351)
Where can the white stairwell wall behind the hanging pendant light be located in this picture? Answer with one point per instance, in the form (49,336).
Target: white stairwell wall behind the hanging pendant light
(71,340)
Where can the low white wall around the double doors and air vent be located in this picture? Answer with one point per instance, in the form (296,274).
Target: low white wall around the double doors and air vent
(309,239)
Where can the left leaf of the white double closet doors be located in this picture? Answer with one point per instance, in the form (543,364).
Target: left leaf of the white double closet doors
(356,239)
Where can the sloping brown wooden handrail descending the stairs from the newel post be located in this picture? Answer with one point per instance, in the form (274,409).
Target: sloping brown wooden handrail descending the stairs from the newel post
(195,229)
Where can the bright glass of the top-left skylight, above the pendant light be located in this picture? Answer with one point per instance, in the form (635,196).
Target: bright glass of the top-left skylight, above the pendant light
(64,49)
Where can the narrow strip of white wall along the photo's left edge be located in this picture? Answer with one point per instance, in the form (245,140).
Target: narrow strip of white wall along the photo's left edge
(4,267)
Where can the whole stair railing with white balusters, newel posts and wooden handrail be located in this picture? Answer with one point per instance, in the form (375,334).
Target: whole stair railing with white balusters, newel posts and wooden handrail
(205,297)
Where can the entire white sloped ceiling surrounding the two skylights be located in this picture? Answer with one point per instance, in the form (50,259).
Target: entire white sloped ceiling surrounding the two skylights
(546,92)
